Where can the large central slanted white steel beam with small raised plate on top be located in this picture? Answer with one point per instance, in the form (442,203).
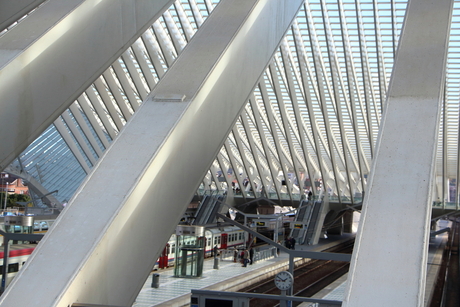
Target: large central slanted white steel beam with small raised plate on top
(109,241)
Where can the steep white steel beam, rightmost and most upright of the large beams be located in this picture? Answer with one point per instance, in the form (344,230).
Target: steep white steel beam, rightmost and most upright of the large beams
(389,261)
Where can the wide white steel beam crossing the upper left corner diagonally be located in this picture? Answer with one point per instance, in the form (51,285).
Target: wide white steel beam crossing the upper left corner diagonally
(48,60)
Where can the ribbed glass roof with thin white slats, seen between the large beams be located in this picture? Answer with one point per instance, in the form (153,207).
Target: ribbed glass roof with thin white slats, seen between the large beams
(312,118)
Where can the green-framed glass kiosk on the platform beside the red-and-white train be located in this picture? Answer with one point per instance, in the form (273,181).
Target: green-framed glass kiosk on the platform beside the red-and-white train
(190,244)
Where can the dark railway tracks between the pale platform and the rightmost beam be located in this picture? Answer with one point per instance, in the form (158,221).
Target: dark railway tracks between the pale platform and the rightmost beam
(309,278)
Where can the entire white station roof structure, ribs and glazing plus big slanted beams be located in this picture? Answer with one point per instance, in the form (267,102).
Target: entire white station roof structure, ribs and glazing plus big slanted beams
(271,98)
